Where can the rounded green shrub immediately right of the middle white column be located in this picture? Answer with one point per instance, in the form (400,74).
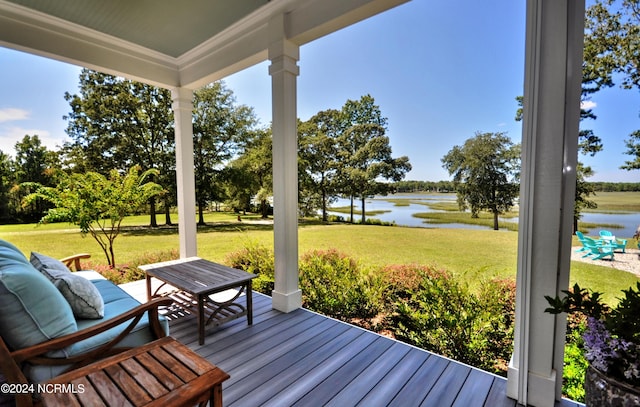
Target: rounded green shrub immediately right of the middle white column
(335,285)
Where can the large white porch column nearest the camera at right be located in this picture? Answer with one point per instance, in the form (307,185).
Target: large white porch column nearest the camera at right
(552,86)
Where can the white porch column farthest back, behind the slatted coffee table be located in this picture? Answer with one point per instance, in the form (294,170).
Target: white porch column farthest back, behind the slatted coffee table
(183,112)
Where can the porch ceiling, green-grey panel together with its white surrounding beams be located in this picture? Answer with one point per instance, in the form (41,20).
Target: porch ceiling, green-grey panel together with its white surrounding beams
(169,43)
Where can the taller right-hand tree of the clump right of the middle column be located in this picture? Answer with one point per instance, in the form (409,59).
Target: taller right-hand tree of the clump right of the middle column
(365,156)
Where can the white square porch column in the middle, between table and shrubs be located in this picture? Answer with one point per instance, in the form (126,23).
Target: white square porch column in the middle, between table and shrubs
(284,55)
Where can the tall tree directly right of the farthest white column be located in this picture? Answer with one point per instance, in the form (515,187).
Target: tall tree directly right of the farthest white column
(220,131)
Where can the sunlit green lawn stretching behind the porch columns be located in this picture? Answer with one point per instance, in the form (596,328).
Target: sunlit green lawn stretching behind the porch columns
(473,255)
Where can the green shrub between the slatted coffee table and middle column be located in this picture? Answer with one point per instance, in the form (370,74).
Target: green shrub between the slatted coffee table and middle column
(257,259)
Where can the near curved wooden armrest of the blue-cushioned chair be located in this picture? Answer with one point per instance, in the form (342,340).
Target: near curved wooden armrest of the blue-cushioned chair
(32,353)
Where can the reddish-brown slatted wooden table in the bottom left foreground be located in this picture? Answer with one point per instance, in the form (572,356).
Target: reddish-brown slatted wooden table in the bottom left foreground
(159,374)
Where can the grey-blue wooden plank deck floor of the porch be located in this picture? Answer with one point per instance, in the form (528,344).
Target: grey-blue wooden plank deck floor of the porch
(305,359)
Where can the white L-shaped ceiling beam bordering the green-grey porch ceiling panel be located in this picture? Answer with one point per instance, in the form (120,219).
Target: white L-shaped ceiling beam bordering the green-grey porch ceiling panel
(240,46)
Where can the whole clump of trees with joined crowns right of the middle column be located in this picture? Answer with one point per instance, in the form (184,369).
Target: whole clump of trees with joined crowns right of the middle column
(347,153)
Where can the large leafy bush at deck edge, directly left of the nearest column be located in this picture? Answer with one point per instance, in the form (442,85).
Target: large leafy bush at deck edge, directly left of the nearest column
(444,316)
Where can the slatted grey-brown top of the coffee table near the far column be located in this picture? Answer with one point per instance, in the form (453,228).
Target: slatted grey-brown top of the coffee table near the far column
(198,276)
